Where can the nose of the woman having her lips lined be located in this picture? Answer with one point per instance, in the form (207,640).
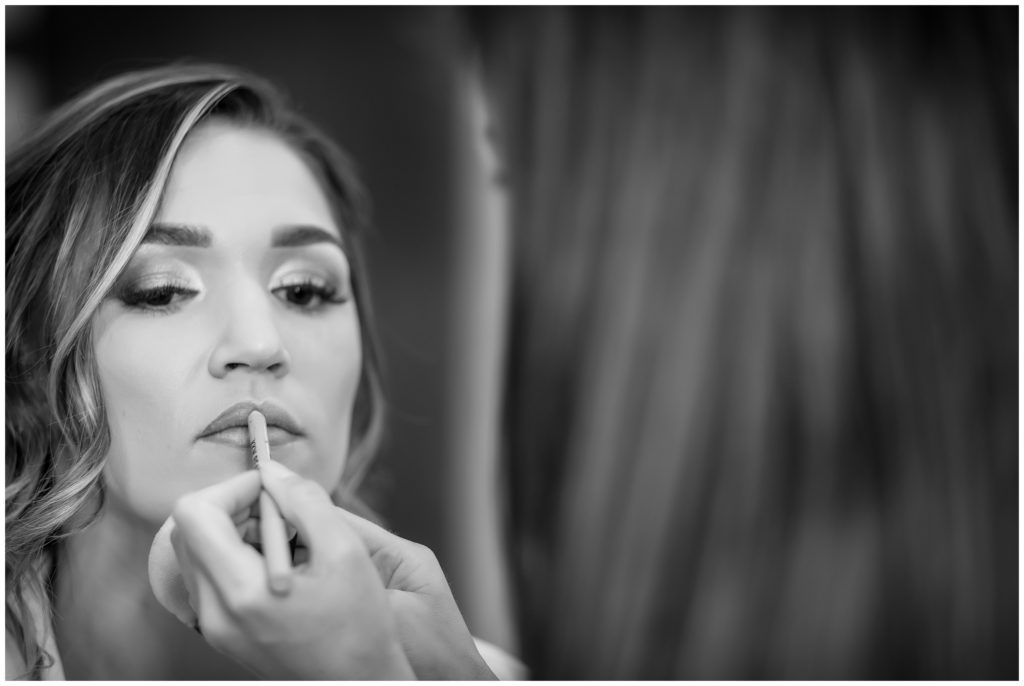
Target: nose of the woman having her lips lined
(250,339)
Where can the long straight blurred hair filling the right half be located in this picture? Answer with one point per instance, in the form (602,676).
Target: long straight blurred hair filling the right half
(761,415)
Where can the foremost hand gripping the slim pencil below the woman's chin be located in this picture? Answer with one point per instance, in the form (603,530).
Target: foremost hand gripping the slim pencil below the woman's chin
(337,621)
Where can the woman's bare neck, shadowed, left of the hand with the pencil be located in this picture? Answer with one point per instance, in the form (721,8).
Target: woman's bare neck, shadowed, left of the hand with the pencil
(108,623)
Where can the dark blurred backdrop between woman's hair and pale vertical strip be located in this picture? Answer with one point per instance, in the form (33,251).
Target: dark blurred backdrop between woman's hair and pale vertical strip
(379,82)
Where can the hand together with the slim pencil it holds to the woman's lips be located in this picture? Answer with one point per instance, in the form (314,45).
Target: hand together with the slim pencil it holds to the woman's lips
(329,617)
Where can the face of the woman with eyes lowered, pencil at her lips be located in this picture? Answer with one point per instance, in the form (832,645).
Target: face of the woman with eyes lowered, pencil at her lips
(240,297)
